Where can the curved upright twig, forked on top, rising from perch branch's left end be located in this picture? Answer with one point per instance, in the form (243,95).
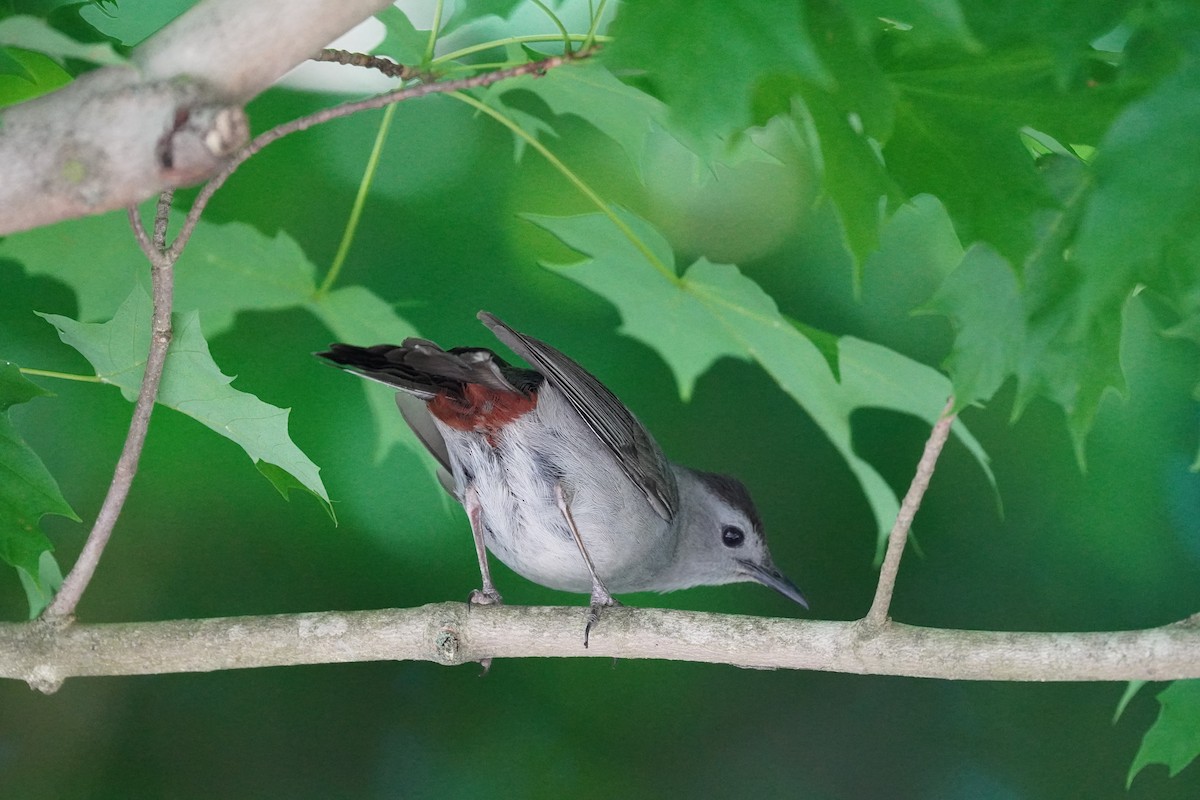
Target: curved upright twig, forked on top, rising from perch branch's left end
(163,280)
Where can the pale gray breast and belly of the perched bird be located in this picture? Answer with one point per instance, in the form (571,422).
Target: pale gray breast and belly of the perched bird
(514,473)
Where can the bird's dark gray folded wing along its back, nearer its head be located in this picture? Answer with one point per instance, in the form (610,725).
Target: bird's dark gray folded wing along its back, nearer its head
(614,425)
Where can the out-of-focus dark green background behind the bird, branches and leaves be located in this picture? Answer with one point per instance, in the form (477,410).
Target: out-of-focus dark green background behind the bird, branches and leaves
(205,536)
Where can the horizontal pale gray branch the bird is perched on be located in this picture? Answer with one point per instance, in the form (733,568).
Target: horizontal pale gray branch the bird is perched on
(45,654)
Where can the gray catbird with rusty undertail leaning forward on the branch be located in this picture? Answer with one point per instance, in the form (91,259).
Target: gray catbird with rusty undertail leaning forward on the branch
(560,480)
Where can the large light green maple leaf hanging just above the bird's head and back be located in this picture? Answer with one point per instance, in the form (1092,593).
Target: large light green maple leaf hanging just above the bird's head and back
(715,311)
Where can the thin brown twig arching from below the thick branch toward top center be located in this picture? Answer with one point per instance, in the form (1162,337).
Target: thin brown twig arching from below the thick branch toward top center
(346,110)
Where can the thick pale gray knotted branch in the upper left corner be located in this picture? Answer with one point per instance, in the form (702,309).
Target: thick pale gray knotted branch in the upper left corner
(122,135)
